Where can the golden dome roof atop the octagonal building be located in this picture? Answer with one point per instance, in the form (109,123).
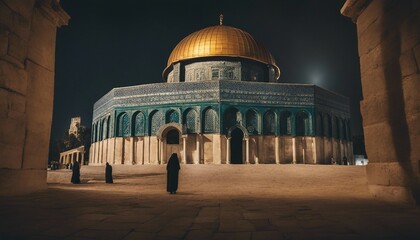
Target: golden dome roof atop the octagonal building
(221,41)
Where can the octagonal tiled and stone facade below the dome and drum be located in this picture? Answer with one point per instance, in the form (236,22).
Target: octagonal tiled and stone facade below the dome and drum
(276,123)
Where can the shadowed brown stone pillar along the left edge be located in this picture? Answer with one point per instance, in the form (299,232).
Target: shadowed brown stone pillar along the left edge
(27,54)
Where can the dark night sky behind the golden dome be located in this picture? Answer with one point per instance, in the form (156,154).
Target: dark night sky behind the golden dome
(110,44)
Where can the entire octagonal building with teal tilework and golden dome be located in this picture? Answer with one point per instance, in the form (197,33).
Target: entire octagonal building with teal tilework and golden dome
(220,104)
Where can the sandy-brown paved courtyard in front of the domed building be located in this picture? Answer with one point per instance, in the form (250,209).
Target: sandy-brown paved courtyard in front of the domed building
(213,202)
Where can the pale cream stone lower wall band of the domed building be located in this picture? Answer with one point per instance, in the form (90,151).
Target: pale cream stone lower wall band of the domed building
(212,149)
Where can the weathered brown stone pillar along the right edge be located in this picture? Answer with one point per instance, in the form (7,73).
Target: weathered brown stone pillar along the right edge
(389,50)
